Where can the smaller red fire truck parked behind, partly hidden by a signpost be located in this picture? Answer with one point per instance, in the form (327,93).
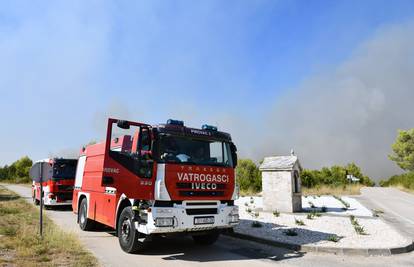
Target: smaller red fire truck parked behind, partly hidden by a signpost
(59,189)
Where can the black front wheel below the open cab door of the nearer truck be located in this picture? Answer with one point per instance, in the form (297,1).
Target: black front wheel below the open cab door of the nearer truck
(127,234)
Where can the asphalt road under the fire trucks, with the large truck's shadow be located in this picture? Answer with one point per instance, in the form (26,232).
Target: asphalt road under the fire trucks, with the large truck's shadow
(226,252)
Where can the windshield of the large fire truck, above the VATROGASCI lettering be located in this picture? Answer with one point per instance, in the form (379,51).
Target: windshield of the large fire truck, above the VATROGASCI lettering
(177,149)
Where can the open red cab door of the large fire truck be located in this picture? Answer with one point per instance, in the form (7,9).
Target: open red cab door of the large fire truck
(127,171)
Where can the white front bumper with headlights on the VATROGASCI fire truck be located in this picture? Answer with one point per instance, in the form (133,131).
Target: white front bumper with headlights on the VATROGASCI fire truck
(190,216)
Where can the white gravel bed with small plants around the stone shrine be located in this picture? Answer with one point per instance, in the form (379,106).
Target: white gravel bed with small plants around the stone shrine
(318,230)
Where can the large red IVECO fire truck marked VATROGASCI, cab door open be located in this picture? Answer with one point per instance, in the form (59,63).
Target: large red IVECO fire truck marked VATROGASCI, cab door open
(147,180)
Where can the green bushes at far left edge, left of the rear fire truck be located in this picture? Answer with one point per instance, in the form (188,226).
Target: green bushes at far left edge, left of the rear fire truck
(17,172)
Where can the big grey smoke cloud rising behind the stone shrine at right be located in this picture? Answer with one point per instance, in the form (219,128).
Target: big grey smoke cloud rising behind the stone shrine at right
(350,113)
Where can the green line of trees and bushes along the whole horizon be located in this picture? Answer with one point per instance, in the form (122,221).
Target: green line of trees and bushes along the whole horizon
(249,177)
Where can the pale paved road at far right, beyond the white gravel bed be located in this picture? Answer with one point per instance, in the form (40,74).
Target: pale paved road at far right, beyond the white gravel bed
(398,207)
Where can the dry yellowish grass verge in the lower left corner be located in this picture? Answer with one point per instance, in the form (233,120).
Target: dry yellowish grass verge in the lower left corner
(20,244)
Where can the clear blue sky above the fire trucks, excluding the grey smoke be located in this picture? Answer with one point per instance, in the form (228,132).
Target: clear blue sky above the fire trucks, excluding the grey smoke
(66,65)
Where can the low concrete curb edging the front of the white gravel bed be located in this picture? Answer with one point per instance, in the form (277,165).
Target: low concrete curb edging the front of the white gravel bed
(331,250)
